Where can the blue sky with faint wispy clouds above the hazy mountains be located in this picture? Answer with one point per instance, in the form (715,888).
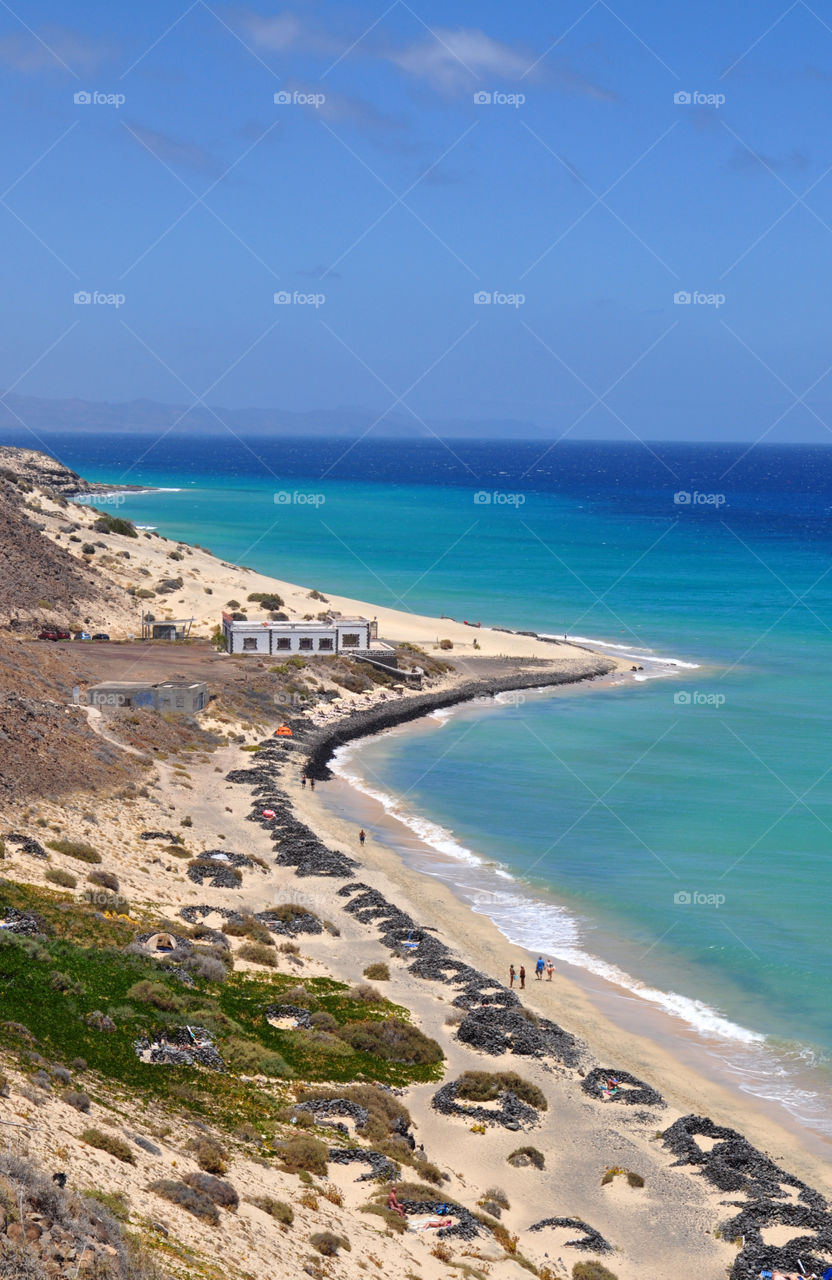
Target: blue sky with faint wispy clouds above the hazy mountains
(383,188)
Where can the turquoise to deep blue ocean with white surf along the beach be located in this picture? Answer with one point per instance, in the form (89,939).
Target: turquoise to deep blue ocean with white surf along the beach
(673,834)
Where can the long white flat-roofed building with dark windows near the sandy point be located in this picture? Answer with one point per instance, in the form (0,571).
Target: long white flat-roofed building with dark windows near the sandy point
(355,638)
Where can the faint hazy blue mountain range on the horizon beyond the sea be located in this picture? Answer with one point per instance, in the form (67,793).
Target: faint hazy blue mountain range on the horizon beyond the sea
(152,417)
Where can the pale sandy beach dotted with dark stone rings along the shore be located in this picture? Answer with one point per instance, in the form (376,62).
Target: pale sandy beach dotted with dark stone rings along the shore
(639,1159)
